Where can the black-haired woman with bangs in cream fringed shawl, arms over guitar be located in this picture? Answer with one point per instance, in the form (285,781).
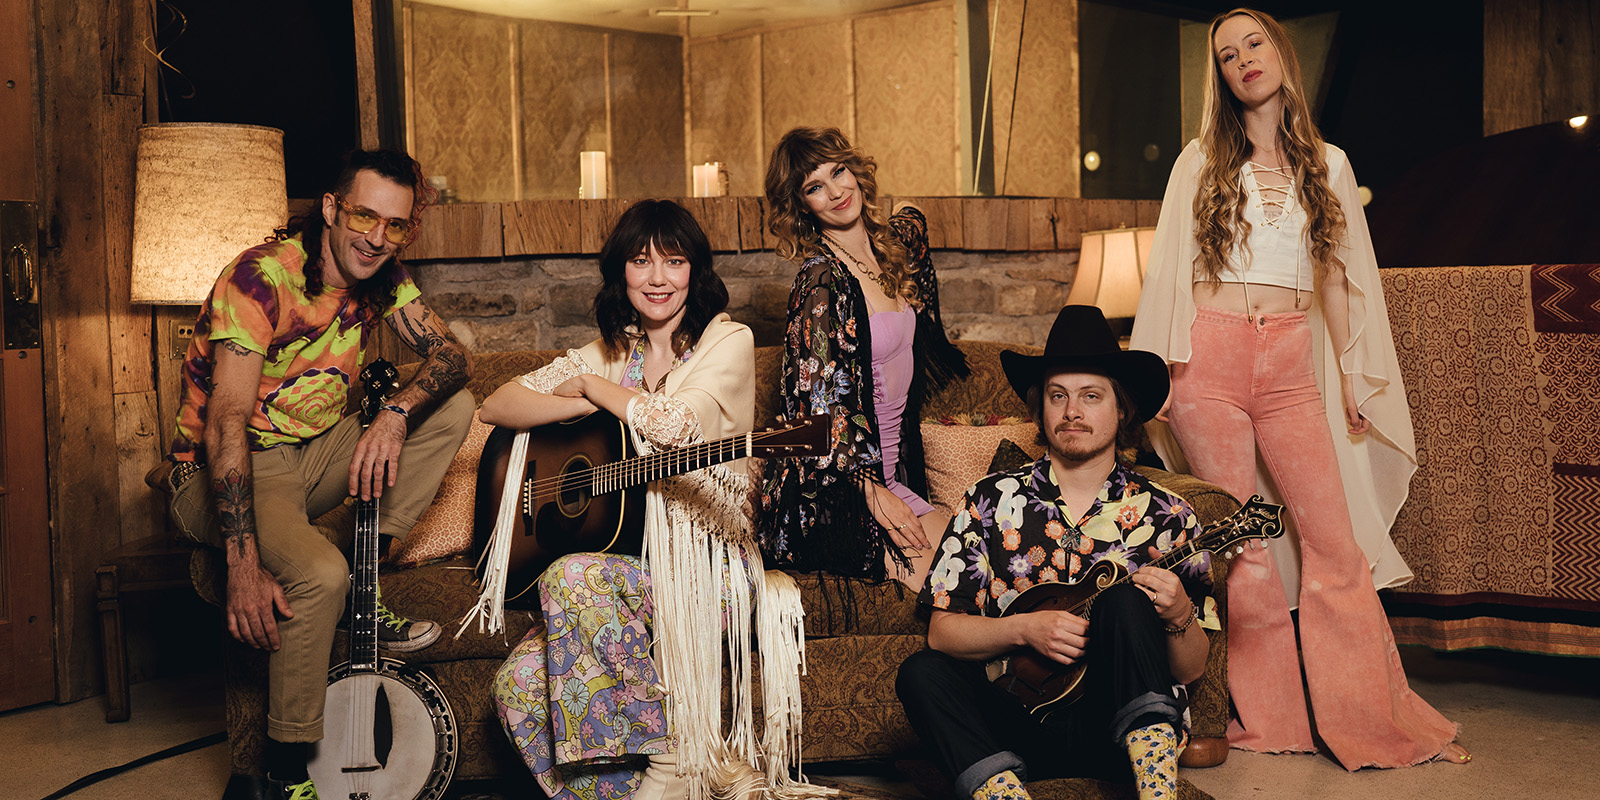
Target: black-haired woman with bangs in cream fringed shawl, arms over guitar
(583,697)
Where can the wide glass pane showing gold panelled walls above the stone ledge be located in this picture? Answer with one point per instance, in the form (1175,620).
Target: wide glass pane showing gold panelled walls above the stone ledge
(502,97)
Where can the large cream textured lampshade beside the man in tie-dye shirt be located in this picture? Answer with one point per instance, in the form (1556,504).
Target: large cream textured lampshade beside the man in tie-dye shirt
(204,194)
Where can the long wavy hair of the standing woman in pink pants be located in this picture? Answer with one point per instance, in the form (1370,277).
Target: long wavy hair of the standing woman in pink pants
(1220,204)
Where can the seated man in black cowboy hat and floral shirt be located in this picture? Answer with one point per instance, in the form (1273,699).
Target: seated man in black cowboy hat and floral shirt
(1049,522)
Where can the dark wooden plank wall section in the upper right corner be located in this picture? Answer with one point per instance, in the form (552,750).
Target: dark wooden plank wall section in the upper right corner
(1542,63)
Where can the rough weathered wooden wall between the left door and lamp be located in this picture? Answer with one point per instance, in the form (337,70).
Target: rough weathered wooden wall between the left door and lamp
(100,388)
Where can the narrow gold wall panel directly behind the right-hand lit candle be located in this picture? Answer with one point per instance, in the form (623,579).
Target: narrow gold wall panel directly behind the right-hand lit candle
(726,110)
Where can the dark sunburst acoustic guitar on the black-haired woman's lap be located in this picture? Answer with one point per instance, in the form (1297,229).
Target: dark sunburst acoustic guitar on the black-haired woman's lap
(583,487)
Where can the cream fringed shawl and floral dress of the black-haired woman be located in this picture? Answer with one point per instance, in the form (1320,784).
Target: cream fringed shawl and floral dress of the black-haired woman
(582,697)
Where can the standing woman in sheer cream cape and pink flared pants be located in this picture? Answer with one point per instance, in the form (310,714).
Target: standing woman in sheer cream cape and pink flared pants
(1260,218)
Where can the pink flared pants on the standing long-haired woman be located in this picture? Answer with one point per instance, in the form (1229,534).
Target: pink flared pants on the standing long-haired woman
(1250,385)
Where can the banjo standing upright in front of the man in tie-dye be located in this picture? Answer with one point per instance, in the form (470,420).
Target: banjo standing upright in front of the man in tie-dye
(388,730)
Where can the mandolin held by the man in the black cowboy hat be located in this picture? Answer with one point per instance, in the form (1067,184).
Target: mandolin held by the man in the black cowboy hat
(1044,684)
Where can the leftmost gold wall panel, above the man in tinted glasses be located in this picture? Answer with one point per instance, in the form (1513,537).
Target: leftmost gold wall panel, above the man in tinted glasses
(462,102)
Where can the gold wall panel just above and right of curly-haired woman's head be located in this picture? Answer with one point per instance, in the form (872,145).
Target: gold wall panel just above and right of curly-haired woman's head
(906,108)
